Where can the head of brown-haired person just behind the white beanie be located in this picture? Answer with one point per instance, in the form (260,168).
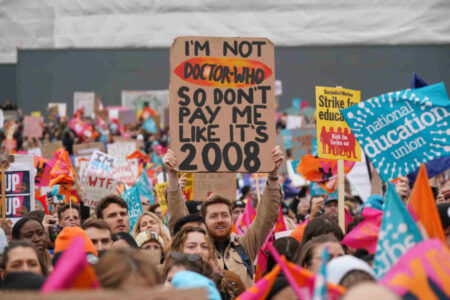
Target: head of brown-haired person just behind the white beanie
(311,252)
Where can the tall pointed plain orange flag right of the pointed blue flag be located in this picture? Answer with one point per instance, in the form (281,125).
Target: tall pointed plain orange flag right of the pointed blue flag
(422,206)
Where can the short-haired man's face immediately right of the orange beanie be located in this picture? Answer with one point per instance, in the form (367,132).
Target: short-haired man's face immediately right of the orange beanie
(99,233)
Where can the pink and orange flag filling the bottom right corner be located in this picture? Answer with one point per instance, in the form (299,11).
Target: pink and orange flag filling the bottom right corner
(421,273)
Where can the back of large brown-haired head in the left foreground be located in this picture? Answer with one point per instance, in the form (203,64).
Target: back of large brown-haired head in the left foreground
(126,268)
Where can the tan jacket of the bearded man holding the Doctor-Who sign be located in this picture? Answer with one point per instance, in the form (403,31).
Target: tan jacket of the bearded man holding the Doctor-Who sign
(251,241)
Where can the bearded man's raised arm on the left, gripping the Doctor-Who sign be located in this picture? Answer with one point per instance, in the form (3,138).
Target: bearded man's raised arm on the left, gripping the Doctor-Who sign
(175,201)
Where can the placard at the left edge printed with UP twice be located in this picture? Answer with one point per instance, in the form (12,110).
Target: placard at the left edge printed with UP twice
(19,190)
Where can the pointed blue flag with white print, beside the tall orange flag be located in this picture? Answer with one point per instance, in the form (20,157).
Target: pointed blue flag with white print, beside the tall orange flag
(398,233)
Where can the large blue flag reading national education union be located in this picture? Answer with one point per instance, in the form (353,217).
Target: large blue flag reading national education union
(400,130)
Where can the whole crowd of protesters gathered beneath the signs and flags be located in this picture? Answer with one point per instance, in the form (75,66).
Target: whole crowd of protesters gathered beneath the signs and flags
(197,246)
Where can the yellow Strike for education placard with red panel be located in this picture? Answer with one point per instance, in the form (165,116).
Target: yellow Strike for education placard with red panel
(334,138)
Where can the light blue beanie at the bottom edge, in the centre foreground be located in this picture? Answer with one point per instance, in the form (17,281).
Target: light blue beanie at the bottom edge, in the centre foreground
(189,279)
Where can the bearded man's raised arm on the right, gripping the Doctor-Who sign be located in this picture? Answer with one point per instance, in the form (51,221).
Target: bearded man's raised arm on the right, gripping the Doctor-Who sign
(266,212)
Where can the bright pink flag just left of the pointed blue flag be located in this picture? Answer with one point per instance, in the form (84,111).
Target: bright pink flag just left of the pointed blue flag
(365,234)
